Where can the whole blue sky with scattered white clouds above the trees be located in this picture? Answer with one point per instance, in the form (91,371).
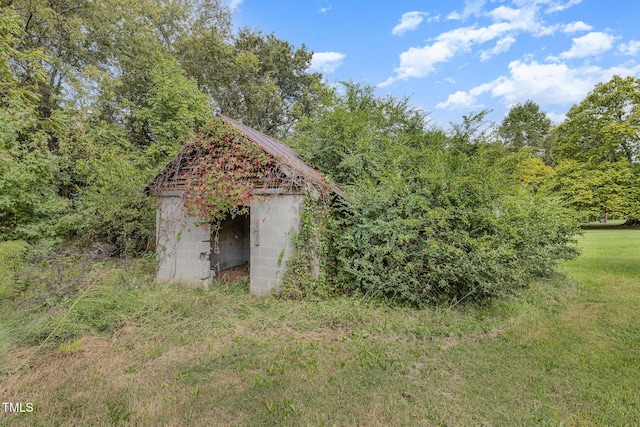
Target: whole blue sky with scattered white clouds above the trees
(455,57)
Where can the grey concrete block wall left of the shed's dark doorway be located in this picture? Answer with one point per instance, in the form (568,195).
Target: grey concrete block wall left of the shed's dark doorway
(182,244)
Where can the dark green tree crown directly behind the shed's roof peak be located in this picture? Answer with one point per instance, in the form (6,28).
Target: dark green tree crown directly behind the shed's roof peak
(258,79)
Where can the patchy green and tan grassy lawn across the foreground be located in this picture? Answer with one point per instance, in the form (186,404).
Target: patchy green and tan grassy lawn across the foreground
(565,352)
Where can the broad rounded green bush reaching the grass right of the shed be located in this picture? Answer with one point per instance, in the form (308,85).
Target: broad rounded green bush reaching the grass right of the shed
(461,231)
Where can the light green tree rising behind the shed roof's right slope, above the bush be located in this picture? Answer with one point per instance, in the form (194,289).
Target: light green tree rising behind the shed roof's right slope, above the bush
(350,136)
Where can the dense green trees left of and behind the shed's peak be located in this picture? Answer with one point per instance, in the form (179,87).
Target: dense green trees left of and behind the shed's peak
(97,96)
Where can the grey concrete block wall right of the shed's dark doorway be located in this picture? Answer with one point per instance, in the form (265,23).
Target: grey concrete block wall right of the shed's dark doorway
(272,222)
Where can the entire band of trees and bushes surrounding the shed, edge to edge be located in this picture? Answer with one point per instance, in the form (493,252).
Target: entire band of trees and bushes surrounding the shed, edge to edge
(97,96)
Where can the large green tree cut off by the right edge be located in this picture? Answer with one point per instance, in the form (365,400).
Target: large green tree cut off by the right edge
(602,134)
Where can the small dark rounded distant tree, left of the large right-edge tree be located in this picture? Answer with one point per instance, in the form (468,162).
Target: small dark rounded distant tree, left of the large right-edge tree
(526,126)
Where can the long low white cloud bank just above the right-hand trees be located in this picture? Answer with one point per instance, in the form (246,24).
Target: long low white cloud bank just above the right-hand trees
(547,84)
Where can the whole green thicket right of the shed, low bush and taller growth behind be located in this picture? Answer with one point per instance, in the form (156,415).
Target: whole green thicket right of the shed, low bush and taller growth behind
(433,217)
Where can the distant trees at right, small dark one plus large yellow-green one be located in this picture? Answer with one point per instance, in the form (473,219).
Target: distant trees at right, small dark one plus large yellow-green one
(590,159)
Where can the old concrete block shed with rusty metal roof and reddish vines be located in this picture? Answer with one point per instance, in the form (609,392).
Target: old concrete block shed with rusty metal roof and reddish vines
(192,249)
